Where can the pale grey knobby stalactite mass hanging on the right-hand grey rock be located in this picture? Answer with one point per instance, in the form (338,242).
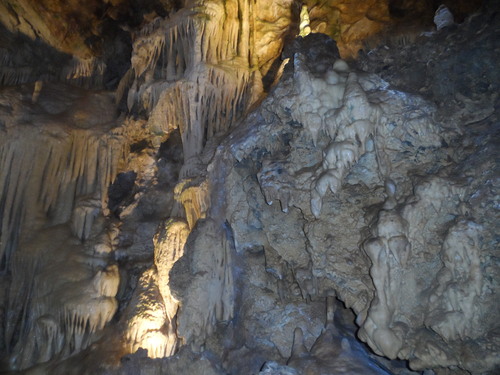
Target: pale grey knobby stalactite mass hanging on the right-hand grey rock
(335,105)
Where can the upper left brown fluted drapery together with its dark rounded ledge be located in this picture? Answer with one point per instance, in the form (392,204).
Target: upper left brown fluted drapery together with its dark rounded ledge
(69,156)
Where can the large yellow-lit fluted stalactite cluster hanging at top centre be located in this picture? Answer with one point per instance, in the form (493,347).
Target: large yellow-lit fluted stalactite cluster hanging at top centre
(200,47)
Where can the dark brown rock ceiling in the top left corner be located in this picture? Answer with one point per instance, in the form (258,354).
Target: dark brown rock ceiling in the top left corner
(77,27)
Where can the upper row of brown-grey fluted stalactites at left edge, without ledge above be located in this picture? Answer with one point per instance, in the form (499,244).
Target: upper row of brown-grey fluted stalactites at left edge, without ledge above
(46,177)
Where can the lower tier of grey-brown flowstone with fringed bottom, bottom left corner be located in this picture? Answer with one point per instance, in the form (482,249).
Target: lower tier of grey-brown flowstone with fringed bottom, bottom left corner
(60,299)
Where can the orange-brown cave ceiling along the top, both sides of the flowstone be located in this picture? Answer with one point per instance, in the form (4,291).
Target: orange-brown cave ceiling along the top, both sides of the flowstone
(83,28)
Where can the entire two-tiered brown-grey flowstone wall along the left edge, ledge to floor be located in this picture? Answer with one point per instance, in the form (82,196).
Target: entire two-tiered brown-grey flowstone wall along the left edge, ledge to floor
(58,155)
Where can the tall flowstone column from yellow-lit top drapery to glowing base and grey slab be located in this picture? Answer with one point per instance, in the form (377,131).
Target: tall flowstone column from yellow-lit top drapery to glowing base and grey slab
(197,71)
